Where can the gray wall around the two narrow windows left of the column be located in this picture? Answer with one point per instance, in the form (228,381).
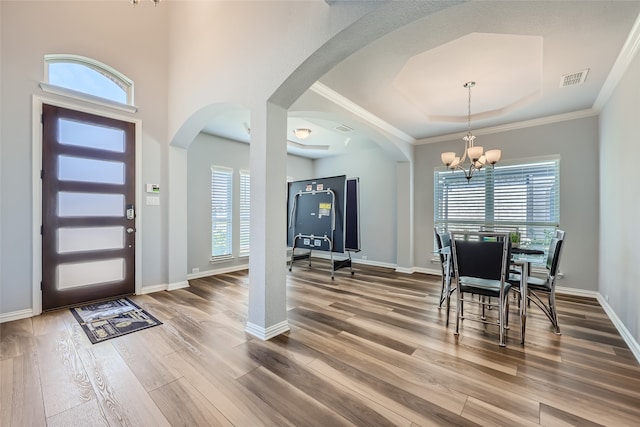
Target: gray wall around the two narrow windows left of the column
(207,151)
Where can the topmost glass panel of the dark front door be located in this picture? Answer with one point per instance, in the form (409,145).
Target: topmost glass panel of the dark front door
(91,136)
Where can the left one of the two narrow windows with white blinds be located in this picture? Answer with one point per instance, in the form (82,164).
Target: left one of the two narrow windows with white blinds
(221,210)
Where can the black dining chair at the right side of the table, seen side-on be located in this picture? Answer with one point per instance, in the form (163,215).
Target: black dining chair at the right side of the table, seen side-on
(538,287)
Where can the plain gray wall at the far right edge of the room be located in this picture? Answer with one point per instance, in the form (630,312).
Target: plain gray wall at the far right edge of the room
(620,200)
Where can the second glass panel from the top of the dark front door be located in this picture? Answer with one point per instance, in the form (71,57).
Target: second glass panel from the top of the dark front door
(90,170)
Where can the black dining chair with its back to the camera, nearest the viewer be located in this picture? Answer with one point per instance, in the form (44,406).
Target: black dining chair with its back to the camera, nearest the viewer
(481,263)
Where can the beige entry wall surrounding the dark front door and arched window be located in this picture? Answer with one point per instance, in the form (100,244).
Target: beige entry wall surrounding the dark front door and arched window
(56,28)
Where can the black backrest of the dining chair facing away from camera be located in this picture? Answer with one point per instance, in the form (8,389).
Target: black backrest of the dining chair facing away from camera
(483,255)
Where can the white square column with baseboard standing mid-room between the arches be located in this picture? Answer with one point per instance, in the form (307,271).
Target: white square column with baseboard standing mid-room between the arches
(267,315)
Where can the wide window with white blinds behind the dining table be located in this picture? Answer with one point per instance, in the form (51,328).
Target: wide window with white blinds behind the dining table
(523,197)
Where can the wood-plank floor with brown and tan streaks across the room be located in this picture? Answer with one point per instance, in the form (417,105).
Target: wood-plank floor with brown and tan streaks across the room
(367,350)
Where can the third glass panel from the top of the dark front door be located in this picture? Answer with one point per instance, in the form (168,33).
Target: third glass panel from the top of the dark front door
(90,204)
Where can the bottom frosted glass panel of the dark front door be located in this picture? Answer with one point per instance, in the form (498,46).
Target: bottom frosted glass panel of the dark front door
(72,275)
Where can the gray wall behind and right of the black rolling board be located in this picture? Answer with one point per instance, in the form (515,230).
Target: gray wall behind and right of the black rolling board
(378,177)
